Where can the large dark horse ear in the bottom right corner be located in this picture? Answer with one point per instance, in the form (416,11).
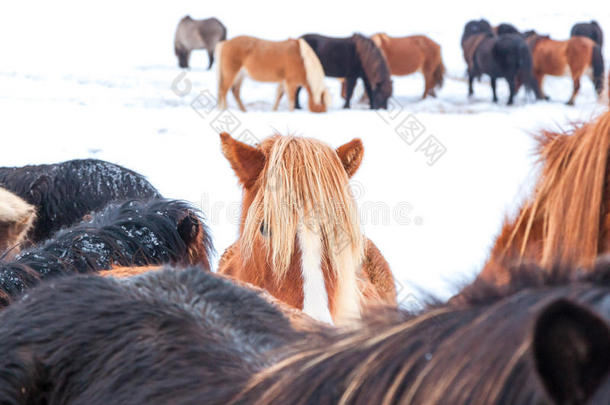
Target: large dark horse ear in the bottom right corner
(571,351)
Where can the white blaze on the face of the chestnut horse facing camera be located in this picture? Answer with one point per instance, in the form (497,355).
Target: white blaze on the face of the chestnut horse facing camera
(315,298)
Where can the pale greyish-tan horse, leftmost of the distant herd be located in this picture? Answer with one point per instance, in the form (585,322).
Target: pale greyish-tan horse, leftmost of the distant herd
(197,34)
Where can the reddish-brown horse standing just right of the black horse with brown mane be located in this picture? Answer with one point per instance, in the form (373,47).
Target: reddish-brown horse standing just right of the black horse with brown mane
(406,55)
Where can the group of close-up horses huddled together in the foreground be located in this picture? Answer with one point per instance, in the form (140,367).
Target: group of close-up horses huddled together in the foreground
(107,293)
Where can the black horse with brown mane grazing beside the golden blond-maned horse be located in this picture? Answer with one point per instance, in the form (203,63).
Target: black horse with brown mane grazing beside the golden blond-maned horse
(352,58)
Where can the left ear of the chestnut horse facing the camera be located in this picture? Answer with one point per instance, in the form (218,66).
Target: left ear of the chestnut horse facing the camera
(247,161)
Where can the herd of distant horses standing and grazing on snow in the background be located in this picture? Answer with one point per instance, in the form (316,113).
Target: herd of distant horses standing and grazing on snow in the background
(521,58)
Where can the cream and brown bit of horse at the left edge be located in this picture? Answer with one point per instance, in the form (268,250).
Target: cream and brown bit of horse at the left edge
(16,219)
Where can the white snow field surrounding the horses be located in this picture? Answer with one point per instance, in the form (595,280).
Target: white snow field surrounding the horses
(82,79)
